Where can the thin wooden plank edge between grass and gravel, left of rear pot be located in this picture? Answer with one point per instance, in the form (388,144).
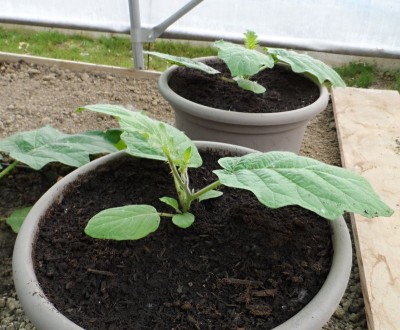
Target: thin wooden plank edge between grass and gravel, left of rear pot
(81,66)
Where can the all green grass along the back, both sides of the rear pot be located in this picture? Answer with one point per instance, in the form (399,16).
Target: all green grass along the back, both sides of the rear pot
(116,50)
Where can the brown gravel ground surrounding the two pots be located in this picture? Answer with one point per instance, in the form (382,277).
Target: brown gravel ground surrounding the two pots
(35,95)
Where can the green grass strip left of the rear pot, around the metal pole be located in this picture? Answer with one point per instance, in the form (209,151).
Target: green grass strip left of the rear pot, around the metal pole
(115,50)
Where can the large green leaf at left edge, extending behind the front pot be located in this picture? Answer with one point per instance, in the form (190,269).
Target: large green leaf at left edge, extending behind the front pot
(39,147)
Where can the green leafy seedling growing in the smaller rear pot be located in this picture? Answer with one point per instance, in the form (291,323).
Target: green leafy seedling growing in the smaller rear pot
(244,61)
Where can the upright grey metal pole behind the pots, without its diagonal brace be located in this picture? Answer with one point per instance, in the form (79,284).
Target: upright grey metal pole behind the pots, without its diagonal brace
(136,34)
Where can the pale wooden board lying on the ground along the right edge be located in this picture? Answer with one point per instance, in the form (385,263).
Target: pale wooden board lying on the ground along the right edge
(368,126)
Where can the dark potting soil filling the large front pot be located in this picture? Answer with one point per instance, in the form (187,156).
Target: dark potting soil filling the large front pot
(240,265)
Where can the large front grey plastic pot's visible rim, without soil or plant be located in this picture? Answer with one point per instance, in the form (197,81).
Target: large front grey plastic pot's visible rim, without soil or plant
(46,317)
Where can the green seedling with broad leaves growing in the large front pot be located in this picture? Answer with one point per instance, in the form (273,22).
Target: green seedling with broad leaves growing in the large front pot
(277,179)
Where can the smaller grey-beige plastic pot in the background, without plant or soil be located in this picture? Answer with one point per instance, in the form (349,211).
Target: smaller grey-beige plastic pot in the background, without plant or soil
(260,131)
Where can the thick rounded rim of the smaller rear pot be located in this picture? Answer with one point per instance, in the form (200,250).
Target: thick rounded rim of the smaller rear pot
(240,118)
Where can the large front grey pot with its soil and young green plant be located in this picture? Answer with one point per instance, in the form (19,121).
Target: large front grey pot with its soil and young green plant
(184,281)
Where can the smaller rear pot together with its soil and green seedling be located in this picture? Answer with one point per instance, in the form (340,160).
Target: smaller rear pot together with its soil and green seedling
(258,98)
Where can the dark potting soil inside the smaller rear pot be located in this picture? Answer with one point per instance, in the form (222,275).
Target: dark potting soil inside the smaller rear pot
(285,90)
